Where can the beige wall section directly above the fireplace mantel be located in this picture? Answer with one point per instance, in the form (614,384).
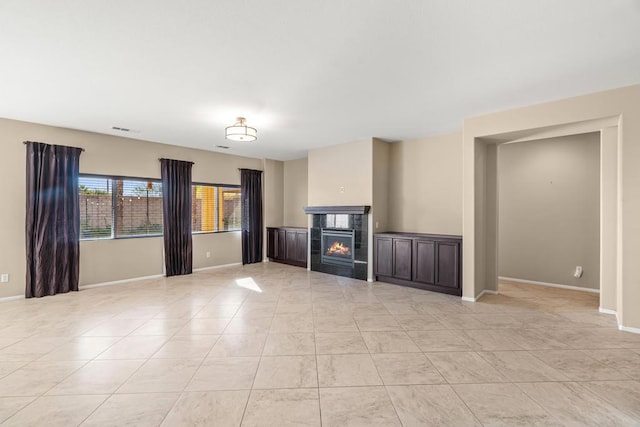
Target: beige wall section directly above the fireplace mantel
(341,174)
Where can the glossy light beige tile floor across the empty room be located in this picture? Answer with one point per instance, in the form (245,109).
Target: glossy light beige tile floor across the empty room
(269,344)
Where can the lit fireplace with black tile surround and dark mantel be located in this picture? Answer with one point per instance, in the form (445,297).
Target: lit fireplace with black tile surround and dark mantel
(339,240)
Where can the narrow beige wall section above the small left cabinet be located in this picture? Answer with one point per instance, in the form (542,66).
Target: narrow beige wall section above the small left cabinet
(295,192)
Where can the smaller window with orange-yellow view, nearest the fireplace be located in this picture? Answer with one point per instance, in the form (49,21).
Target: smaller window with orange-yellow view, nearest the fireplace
(215,208)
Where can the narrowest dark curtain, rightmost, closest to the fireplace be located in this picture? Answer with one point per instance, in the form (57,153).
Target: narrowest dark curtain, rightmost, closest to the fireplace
(251,201)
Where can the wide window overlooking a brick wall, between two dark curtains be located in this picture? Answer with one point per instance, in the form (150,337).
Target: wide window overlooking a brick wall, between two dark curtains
(119,207)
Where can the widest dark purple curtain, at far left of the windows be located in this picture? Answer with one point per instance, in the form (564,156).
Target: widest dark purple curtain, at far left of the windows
(53,219)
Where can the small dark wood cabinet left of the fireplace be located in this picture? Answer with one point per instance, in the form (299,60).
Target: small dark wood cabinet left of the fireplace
(287,245)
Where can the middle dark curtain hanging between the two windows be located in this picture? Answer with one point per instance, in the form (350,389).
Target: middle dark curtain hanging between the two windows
(176,209)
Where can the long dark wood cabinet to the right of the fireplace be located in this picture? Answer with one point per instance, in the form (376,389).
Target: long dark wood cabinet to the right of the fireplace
(426,261)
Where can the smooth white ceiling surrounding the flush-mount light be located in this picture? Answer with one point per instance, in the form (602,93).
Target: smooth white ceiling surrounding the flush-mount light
(306,73)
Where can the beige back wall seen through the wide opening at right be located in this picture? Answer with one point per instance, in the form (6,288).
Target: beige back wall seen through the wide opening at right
(549,199)
